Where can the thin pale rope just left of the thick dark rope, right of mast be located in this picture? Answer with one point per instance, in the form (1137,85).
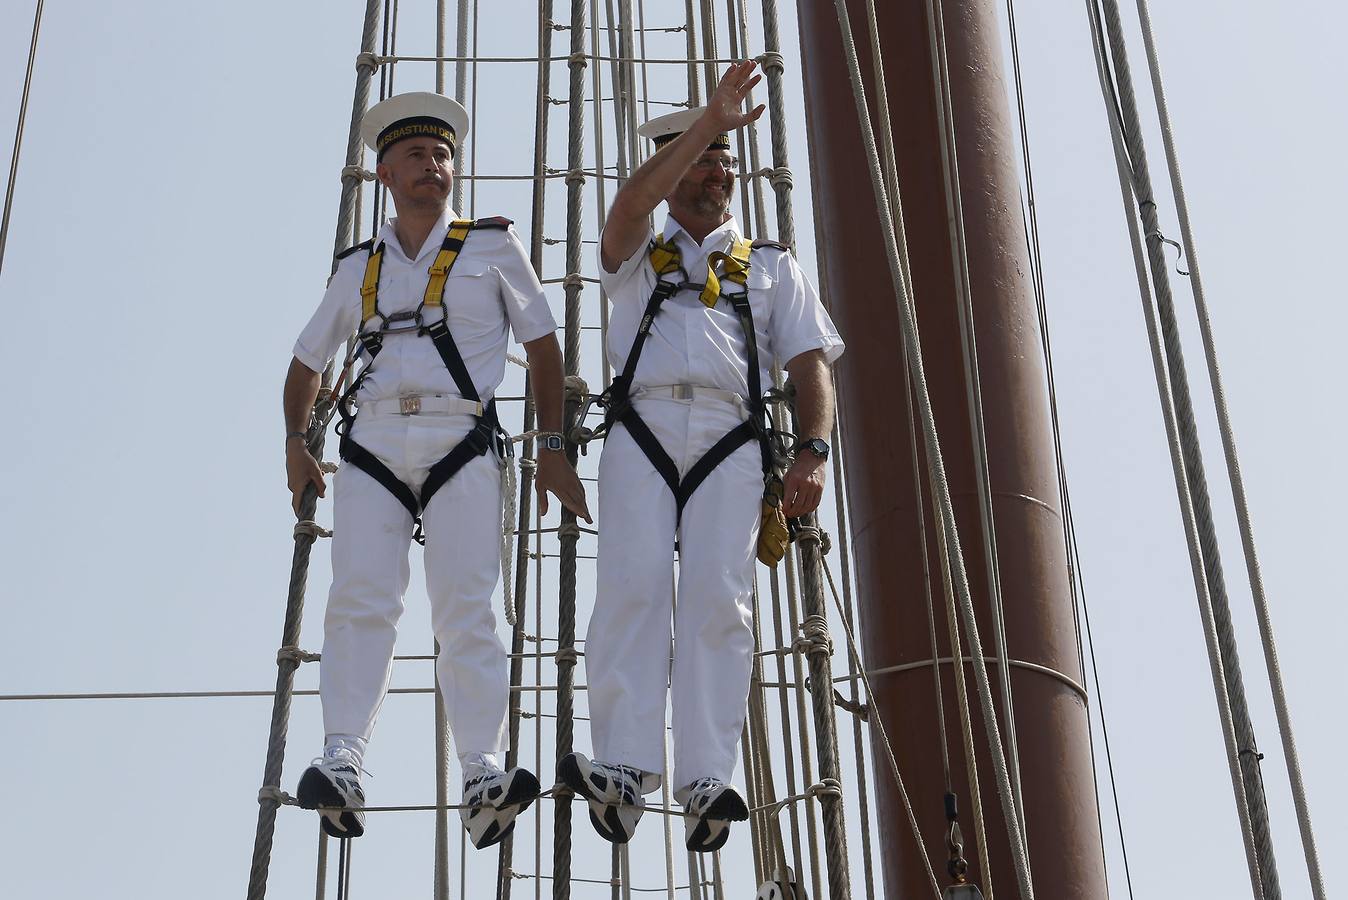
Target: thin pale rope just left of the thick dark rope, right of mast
(1126,189)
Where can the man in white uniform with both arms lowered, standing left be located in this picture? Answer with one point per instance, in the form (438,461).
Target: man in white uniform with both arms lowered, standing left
(432,298)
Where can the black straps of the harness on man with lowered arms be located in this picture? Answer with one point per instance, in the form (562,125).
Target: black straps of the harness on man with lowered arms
(475,444)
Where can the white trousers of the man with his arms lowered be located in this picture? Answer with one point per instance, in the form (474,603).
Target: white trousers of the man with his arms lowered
(371,537)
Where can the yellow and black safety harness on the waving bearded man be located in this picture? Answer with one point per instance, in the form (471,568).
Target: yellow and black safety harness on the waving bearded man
(618,399)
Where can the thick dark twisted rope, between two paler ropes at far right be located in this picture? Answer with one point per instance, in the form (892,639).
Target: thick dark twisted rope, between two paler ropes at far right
(1194,465)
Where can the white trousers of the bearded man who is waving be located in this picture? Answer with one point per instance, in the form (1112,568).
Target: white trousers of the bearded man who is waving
(627,650)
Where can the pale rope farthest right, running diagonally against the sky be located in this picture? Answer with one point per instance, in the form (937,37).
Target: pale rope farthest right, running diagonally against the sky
(1238,487)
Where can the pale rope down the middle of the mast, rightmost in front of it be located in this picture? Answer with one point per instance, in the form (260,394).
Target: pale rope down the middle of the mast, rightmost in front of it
(974,387)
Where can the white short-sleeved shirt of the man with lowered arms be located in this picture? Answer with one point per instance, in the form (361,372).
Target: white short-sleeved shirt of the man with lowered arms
(490,286)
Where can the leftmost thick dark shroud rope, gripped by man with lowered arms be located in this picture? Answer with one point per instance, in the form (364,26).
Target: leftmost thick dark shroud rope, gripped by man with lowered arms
(286,666)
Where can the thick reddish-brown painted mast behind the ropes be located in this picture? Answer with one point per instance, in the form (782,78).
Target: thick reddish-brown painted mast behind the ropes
(888,515)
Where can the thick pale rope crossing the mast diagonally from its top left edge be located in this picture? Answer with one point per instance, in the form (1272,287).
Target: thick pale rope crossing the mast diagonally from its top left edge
(935,457)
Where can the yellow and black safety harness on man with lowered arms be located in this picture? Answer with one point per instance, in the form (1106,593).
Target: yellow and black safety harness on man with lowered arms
(487,430)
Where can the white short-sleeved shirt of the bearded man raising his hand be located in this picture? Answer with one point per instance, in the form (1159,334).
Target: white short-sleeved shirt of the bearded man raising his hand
(692,344)
